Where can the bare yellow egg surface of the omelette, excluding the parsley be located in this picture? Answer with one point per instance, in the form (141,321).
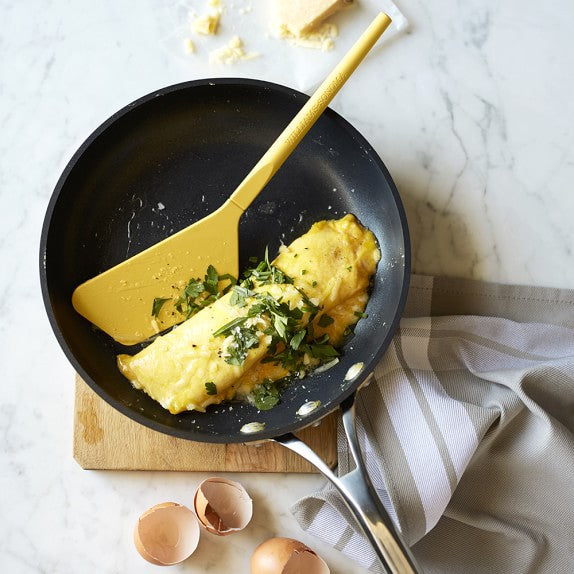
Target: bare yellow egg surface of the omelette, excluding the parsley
(331,265)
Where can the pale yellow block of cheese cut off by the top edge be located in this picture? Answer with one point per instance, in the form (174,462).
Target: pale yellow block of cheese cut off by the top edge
(299,17)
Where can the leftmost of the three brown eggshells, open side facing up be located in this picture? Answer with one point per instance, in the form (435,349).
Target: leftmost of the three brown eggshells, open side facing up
(166,534)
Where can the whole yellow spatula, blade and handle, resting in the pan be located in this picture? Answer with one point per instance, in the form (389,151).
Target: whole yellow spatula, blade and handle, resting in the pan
(120,300)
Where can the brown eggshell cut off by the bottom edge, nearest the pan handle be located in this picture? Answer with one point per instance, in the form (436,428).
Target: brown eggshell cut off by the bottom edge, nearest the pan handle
(286,556)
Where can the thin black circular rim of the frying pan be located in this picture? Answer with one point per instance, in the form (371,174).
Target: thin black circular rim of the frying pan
(297,424)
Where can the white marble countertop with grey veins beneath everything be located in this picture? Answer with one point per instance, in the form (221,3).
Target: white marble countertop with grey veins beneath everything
(472,111)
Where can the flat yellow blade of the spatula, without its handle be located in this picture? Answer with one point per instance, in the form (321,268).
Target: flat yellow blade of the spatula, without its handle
(120,300)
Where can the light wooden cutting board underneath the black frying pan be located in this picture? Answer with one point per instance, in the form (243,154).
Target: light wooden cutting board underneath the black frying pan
(106,439)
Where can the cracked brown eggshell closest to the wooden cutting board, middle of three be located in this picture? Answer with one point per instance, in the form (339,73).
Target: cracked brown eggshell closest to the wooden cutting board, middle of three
(222,506)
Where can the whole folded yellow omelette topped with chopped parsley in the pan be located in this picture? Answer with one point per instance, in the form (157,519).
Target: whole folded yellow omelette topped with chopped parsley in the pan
(285,319)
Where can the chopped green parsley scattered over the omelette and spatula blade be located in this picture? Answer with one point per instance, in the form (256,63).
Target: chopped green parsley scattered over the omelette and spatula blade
(292,340)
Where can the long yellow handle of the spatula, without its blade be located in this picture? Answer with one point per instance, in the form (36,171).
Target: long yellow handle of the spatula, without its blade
(272,160)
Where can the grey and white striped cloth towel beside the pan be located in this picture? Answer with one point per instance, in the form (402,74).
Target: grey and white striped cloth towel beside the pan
(468,432)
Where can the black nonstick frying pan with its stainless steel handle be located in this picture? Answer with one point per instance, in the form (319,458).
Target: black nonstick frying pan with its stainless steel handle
(174,156)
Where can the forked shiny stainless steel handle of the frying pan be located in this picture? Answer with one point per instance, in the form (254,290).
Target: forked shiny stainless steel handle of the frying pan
(360,497)
